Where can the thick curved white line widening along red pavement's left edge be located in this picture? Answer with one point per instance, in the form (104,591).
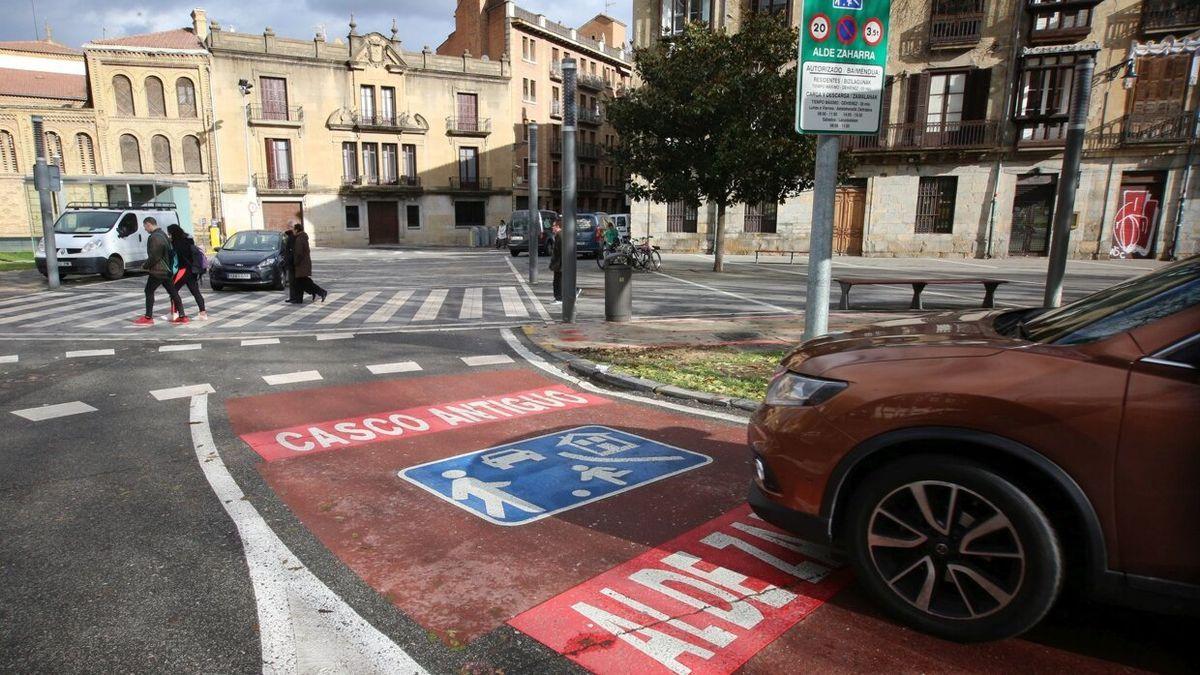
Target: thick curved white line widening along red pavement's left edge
(303,625)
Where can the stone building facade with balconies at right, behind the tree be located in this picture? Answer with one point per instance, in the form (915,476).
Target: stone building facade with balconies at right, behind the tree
(970,151)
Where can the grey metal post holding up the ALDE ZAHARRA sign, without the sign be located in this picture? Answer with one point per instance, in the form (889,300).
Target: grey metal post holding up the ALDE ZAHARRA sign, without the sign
(825,189)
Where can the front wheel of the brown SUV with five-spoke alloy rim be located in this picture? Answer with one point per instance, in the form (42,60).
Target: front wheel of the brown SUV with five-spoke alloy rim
(953,548)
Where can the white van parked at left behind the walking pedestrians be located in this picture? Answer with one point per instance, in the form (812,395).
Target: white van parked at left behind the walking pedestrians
(106,240)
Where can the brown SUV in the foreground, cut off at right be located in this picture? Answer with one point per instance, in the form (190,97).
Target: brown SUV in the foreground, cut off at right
(970,464)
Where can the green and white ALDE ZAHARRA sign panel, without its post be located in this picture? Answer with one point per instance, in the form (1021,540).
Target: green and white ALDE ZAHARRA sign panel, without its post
(841,81)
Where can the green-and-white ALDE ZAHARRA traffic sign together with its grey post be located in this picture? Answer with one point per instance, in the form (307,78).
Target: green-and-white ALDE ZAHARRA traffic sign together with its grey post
(839,91)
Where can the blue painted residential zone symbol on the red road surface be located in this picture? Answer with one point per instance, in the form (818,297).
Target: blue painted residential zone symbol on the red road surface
(531,480)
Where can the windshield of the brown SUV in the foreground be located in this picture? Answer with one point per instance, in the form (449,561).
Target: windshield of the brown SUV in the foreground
(1120,308)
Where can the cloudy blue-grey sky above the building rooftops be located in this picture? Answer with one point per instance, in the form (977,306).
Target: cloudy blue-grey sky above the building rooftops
(421,22)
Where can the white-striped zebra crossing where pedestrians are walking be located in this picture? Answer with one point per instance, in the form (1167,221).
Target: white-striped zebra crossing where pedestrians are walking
(85,314)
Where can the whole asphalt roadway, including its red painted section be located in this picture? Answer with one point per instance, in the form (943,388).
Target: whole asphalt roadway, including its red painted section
(149,527)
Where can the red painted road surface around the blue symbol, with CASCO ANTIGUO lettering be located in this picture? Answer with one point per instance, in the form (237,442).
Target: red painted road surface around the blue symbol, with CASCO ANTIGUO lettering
(652,557)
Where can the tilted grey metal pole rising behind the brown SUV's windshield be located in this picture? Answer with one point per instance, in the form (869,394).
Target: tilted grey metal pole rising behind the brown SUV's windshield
(1065,206)
